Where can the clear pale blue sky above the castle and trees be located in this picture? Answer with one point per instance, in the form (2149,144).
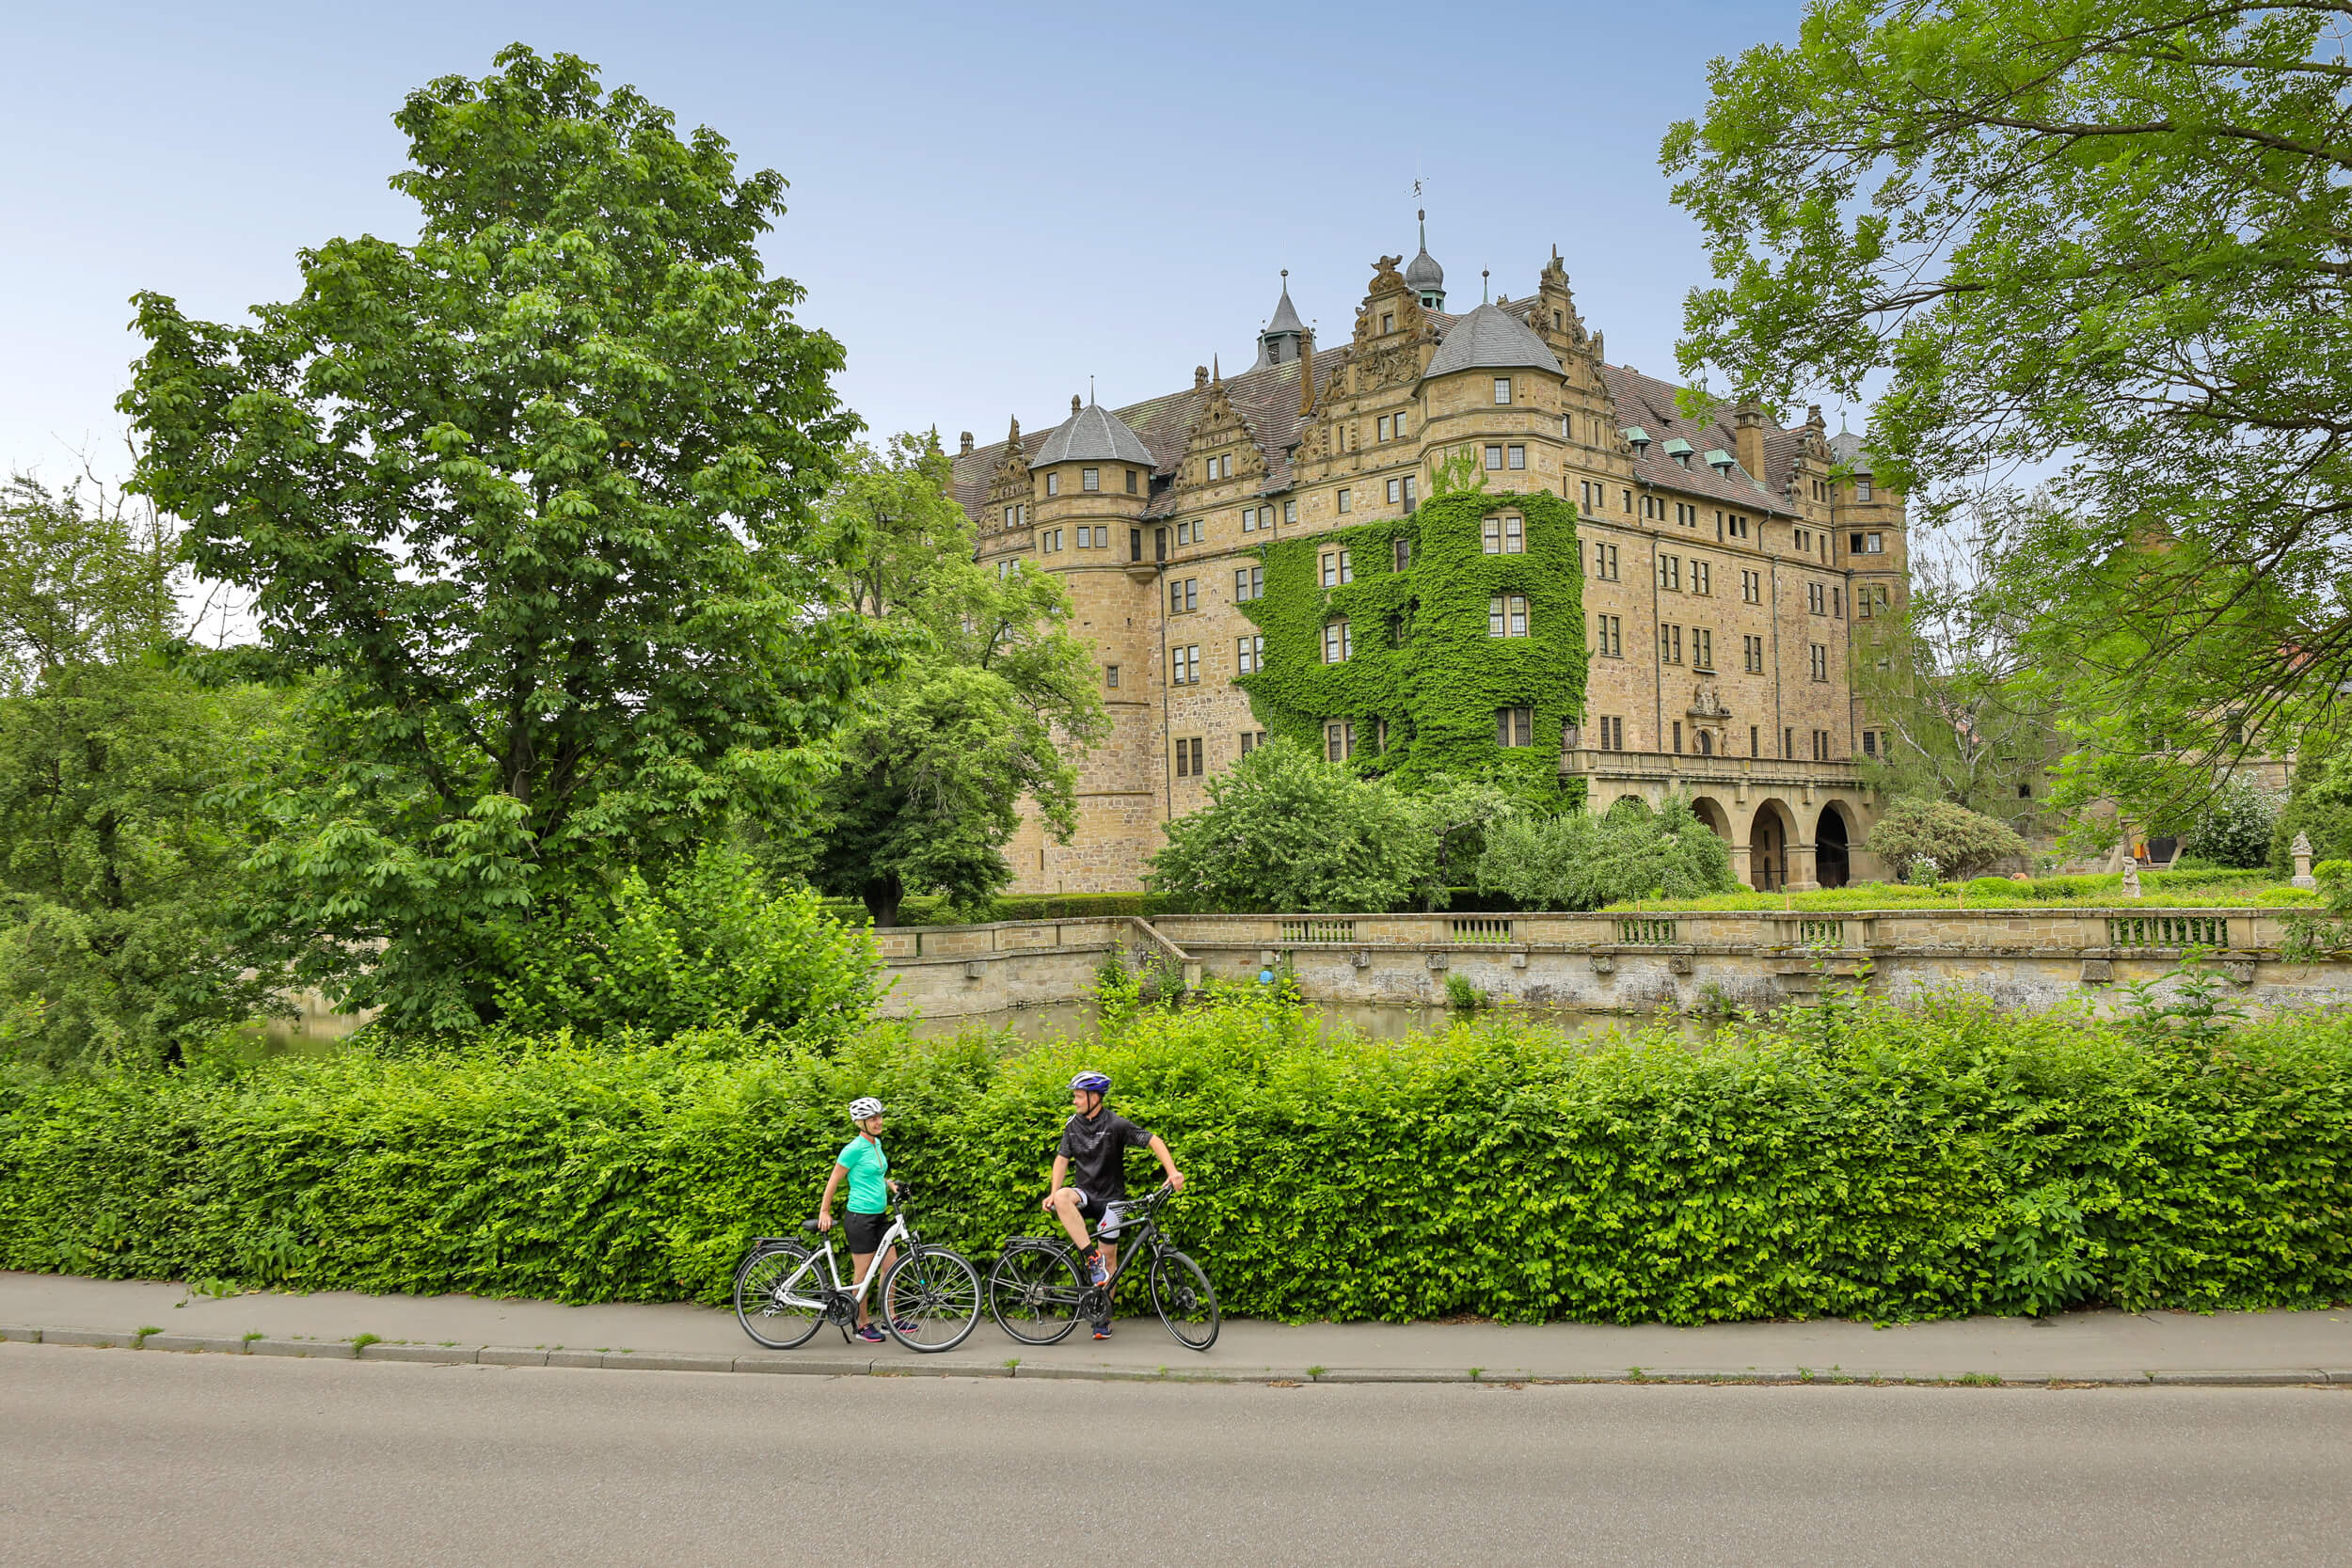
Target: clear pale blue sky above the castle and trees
(989,203)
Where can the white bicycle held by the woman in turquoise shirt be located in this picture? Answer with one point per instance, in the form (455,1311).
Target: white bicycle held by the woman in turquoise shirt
(787,1292)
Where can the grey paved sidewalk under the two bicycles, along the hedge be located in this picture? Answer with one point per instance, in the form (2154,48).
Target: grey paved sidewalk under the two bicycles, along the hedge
(2076,1348)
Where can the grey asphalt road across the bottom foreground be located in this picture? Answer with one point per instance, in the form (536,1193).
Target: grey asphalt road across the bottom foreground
(114,1456)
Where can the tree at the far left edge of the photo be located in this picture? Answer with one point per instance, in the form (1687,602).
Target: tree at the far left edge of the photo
(119,852)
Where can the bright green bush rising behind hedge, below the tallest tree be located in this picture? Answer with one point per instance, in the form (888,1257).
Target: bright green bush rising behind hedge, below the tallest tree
(714,946)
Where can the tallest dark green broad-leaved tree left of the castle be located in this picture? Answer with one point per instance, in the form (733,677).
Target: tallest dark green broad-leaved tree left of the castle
(530,504)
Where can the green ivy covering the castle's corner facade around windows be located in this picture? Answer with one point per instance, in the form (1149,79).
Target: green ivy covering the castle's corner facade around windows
(1422,655)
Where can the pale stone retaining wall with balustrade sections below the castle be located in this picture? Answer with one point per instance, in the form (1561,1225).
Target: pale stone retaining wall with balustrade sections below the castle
(1619,963)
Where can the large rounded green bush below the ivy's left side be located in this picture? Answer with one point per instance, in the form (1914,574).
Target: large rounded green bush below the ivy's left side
(1288,831)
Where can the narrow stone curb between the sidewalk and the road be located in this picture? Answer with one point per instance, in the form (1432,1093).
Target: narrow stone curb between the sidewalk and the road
(1347,1376)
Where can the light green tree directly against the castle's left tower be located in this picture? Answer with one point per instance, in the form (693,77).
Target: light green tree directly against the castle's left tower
(991,709)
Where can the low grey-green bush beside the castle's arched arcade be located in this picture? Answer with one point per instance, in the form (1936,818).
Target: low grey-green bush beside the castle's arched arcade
(1579,862)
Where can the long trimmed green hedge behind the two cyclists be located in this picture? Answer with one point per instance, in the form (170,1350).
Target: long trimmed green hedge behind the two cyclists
(1892,1167)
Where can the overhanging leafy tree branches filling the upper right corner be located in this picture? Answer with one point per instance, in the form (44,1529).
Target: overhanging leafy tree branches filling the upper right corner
(2104,241)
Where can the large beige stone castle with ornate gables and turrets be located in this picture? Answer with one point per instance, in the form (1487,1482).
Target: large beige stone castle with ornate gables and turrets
(1725,561)
